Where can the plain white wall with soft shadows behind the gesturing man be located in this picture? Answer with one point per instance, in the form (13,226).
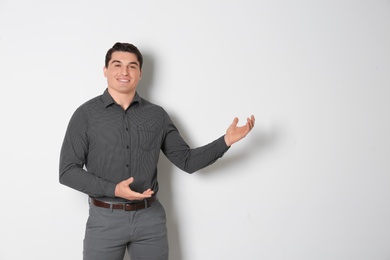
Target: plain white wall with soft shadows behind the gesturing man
(312,181)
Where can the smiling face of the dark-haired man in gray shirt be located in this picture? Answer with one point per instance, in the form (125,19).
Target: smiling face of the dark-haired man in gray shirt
(123,72)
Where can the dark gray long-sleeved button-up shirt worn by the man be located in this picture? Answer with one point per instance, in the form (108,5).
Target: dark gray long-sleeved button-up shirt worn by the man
(105,145)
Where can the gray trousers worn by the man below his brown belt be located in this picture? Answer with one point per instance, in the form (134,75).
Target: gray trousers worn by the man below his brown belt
(110,232)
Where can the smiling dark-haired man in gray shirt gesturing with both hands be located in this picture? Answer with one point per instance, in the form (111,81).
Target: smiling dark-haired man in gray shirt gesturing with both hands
(110,152)
